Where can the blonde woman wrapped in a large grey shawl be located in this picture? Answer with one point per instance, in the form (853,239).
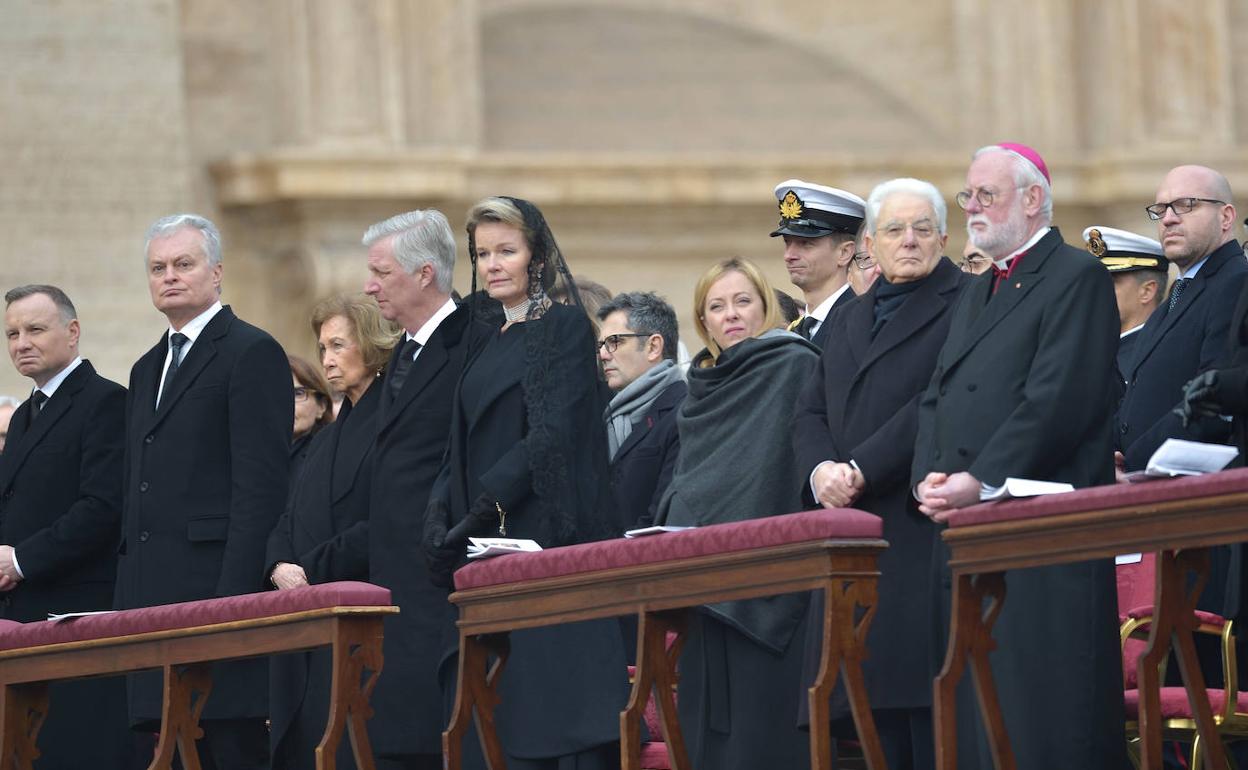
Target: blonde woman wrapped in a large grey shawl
(741,673)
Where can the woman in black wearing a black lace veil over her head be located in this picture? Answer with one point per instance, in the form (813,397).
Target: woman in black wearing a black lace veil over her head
(527,459)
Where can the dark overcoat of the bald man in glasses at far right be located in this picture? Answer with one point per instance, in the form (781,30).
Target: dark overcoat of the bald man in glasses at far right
(1174,348)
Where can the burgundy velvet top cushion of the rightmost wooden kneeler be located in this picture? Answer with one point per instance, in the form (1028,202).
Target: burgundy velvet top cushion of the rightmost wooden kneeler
(1111,496)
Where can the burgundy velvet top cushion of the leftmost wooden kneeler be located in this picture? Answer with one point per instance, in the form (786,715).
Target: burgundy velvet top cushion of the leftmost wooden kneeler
(205,612)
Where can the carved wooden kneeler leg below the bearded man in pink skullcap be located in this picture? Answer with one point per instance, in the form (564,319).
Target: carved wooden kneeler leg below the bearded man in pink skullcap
(970,641)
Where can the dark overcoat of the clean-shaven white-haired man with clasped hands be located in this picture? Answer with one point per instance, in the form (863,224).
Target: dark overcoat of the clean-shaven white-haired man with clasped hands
(863,405)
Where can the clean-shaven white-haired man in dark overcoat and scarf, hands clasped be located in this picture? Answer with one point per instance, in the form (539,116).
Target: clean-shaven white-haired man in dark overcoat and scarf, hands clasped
(854,437)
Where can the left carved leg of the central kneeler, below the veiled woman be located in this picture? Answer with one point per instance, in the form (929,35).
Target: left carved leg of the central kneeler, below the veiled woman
(476,698)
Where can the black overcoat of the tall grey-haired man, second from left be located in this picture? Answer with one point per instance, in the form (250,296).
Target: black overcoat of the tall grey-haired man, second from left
(205,482)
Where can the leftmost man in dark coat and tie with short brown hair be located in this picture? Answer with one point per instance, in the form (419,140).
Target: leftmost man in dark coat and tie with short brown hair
(61,512)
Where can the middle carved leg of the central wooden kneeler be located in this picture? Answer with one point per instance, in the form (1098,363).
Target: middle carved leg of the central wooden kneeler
(656,673)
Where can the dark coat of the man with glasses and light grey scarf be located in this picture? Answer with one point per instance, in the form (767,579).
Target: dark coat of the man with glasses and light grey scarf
(642,467)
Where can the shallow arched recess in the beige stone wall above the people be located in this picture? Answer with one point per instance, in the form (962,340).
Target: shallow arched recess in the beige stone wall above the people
(585,77)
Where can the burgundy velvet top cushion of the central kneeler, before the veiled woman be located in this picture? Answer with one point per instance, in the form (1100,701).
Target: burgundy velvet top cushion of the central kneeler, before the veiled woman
(838,524)
